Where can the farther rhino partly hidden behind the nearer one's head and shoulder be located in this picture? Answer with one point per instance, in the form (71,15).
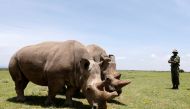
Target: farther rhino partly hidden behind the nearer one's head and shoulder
(108,68)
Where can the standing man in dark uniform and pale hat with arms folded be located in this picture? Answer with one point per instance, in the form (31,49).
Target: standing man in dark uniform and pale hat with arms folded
(175,63)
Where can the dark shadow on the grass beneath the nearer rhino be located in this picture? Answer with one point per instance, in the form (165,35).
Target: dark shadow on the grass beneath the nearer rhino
(39,101)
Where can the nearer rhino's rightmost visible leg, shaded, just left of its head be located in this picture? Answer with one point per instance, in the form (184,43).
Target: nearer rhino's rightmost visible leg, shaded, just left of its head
(69,94)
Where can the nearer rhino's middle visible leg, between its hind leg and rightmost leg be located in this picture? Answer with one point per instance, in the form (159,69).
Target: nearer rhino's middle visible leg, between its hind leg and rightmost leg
(54,87)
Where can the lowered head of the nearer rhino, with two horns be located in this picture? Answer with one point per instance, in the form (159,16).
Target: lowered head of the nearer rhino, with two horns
(93,87)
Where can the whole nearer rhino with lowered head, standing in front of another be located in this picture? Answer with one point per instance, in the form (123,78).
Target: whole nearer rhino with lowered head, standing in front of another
(56,64)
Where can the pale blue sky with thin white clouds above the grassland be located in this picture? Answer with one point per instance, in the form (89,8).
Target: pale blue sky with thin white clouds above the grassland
(140,33)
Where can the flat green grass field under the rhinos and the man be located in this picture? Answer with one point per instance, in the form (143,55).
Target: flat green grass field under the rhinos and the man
(148,90)
